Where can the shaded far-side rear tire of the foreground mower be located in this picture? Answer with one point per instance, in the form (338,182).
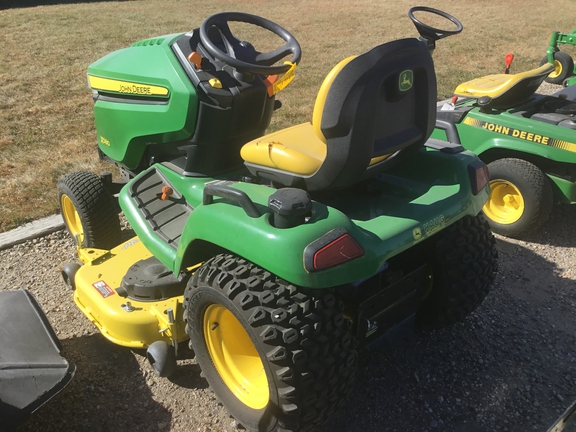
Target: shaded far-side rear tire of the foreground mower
(463,260)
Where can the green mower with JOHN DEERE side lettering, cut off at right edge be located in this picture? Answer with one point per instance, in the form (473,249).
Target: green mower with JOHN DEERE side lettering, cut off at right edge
(527,139)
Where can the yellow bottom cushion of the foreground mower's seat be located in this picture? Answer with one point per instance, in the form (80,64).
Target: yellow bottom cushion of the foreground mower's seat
(296,150)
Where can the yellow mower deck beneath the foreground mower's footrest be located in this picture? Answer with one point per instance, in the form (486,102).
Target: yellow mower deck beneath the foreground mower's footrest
(126,322)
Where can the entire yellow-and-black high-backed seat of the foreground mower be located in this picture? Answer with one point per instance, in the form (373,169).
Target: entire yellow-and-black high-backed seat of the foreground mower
(369,110)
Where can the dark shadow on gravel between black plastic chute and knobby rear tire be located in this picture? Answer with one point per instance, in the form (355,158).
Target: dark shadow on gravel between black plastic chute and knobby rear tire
(101,365)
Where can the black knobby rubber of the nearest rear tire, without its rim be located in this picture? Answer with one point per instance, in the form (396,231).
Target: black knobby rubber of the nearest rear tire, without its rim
(302,333)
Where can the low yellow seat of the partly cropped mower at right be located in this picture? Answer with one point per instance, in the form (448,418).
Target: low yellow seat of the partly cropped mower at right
(505,90)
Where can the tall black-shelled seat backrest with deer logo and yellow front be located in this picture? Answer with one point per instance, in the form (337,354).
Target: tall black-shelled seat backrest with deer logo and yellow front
(379,103)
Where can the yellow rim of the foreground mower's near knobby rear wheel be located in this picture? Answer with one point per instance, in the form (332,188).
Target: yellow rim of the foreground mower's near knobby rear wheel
(235,357)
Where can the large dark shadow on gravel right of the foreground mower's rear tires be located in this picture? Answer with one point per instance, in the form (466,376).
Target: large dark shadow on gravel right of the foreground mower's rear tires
(507,367)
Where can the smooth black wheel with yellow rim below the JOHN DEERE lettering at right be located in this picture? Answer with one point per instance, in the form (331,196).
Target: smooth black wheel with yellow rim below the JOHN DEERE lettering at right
(521,197)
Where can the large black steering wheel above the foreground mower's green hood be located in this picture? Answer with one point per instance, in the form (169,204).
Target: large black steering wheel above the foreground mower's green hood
(241,55)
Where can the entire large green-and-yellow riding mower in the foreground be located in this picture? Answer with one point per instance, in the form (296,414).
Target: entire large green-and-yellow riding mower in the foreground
(278,257)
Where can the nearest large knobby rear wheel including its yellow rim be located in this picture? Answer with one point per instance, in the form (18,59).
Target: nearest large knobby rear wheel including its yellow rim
(277,357)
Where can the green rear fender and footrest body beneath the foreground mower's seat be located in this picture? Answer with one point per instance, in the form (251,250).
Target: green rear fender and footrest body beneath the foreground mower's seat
(416,200)
